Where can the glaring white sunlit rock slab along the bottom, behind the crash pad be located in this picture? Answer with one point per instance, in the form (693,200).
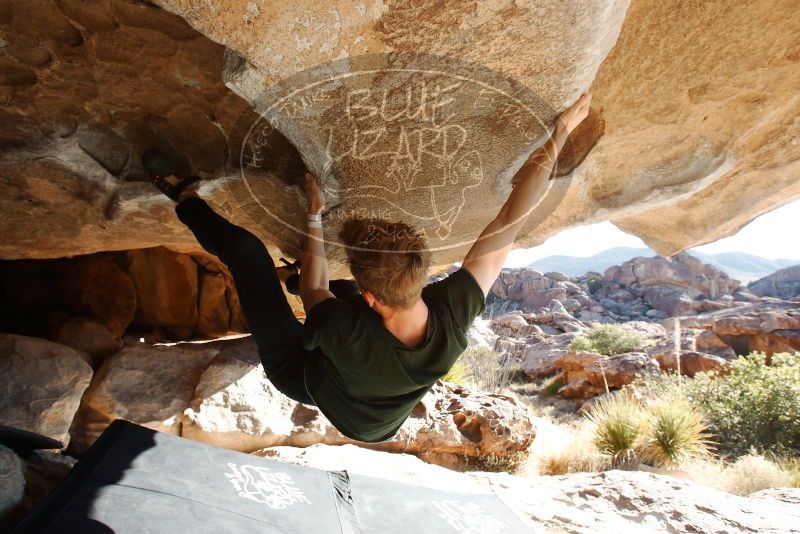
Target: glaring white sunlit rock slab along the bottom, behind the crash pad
(611,501)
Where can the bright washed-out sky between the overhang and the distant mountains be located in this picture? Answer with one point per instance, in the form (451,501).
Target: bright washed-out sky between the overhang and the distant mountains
(773,235)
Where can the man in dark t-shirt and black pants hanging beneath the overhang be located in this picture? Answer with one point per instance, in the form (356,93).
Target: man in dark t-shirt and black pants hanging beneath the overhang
(369,350)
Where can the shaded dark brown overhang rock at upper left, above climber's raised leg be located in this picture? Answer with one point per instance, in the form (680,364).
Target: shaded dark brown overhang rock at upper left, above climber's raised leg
(126,87)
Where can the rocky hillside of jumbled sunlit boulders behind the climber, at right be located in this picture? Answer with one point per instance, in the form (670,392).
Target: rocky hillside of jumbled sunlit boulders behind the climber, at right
(533,318)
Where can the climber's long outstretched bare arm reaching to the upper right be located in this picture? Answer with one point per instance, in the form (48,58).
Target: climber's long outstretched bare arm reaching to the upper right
(490,251)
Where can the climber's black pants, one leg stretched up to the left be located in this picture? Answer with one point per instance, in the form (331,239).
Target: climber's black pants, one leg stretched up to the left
(276,330)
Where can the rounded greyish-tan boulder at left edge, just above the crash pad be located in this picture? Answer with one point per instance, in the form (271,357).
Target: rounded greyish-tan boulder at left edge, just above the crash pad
(42,384)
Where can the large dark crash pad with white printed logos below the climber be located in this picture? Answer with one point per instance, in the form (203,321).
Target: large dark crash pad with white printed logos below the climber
(136,480)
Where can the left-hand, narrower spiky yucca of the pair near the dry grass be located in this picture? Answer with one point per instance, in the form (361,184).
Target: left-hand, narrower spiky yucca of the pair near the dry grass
(617,423)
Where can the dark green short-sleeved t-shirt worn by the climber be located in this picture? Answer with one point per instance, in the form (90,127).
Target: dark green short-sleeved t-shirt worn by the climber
(364,379)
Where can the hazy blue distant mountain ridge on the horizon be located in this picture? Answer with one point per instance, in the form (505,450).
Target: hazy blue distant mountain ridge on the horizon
(739,265)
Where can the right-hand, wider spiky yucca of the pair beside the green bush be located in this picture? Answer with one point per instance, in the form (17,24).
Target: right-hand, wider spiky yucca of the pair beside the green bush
(672,434)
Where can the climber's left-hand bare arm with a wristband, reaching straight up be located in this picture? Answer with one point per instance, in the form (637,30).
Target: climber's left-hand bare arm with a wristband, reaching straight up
(314,272)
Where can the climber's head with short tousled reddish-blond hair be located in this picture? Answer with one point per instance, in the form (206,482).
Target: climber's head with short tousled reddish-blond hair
(389,261)
